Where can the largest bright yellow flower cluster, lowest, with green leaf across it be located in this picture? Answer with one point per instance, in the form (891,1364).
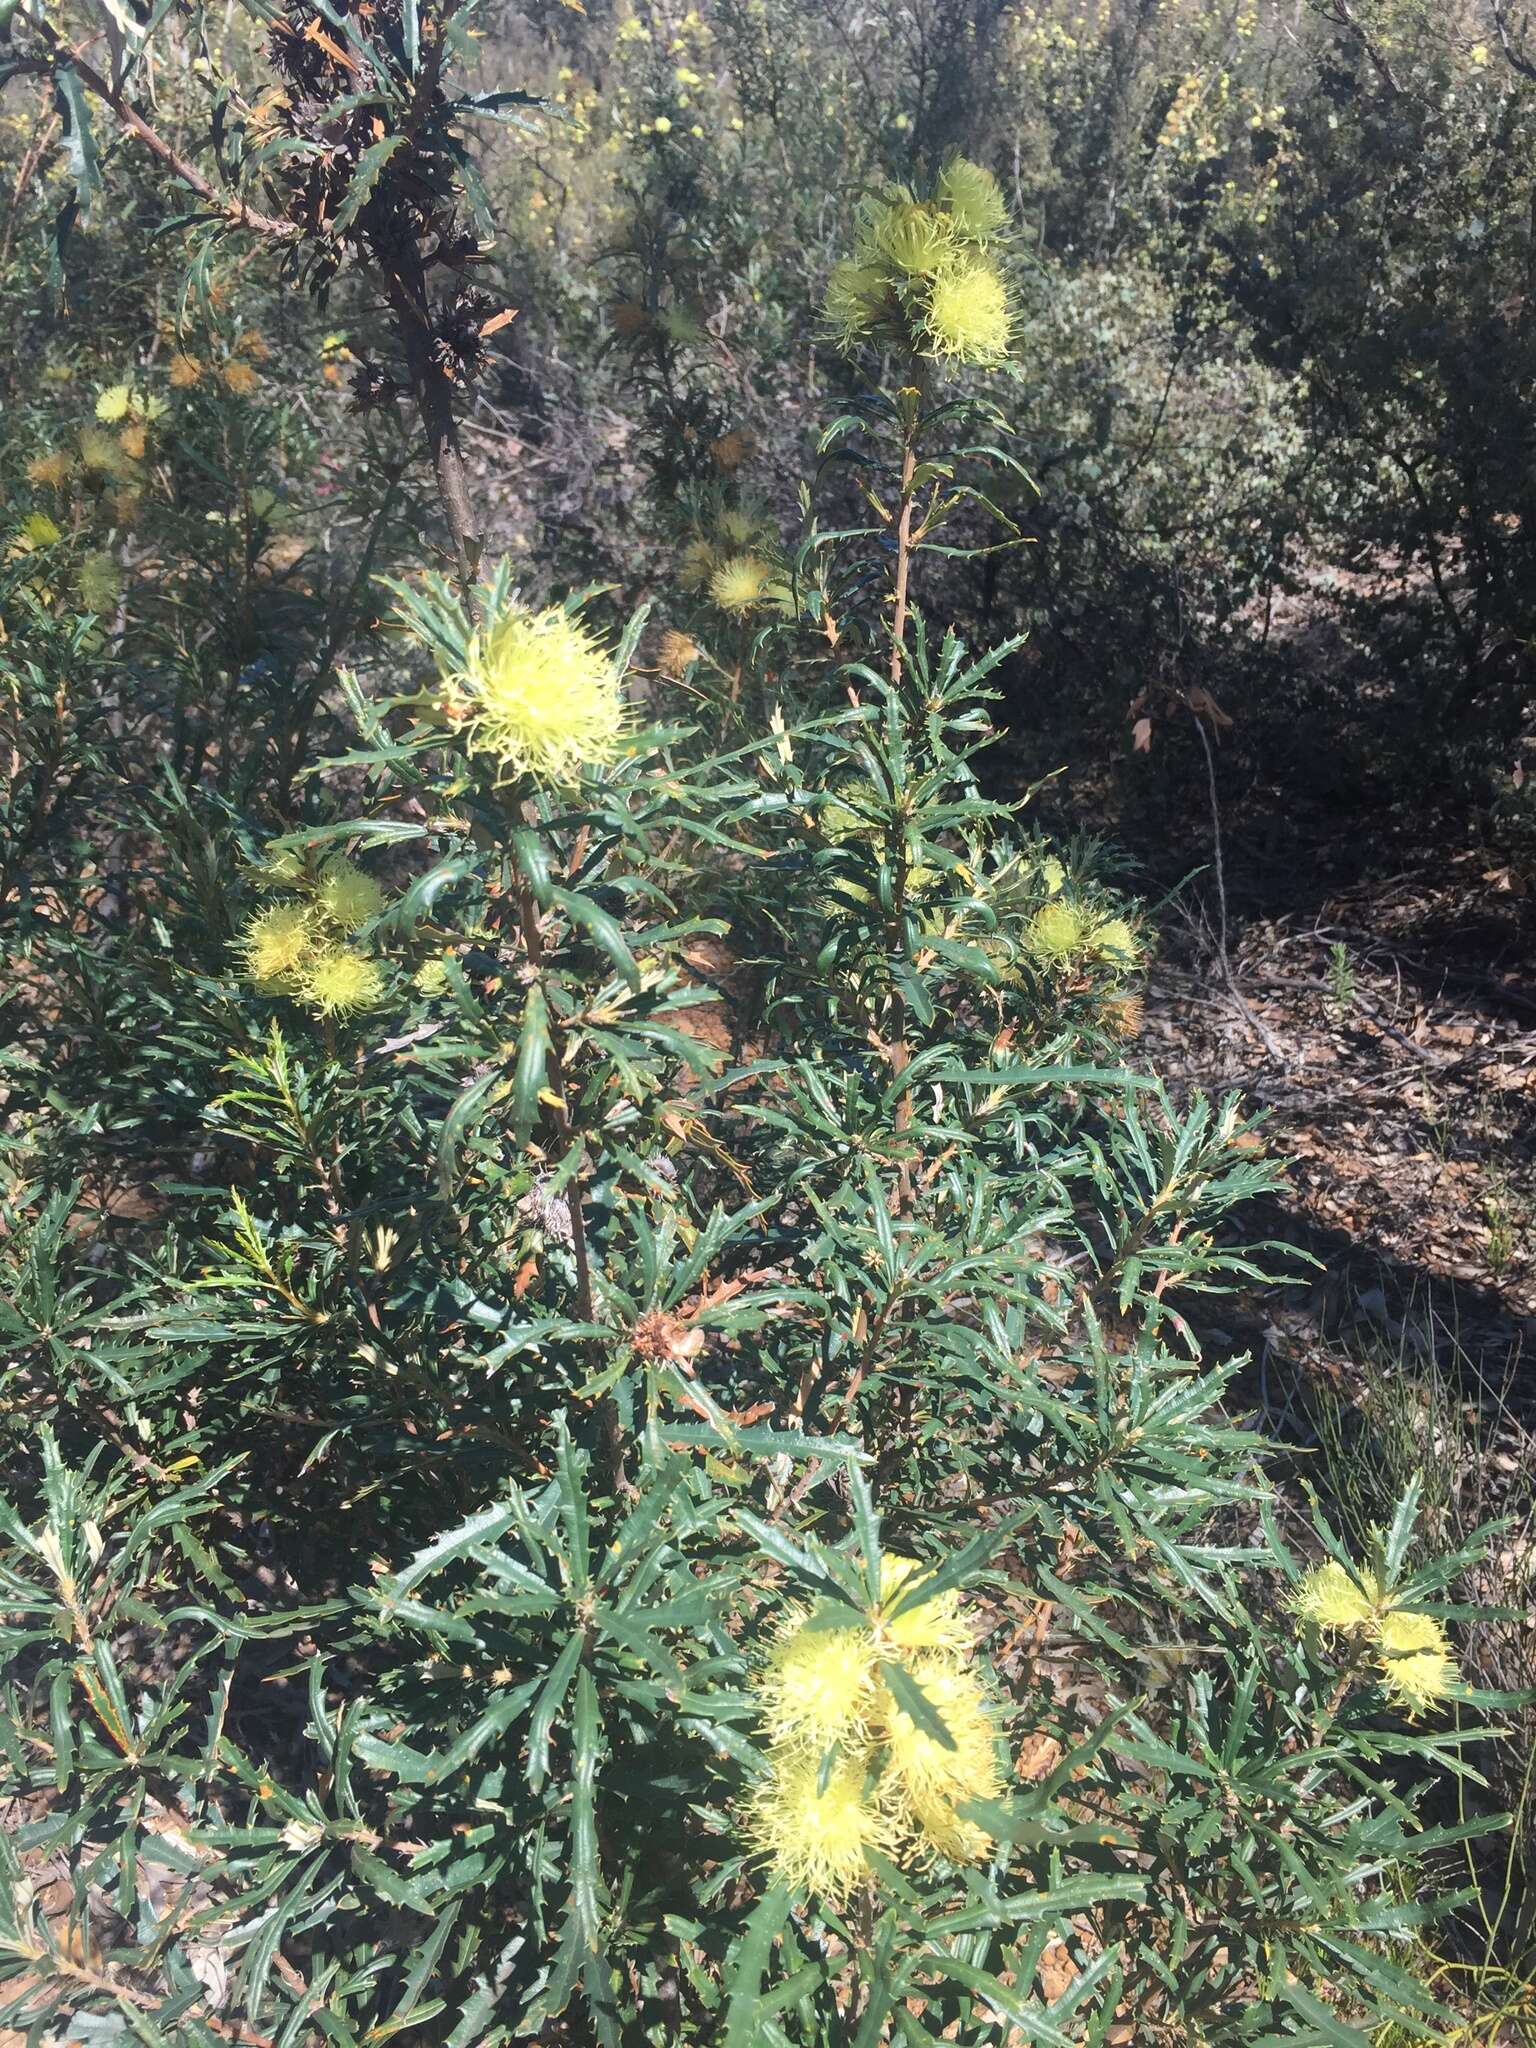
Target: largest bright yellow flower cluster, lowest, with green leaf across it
(857,1768)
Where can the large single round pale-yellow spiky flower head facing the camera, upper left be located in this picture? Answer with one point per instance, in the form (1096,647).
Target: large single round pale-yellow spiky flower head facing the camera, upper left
(542,695)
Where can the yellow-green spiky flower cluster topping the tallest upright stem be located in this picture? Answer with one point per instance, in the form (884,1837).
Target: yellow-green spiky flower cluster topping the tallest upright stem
(925,273)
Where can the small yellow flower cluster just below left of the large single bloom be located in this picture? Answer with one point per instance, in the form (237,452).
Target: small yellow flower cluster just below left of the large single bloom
(306,945)
